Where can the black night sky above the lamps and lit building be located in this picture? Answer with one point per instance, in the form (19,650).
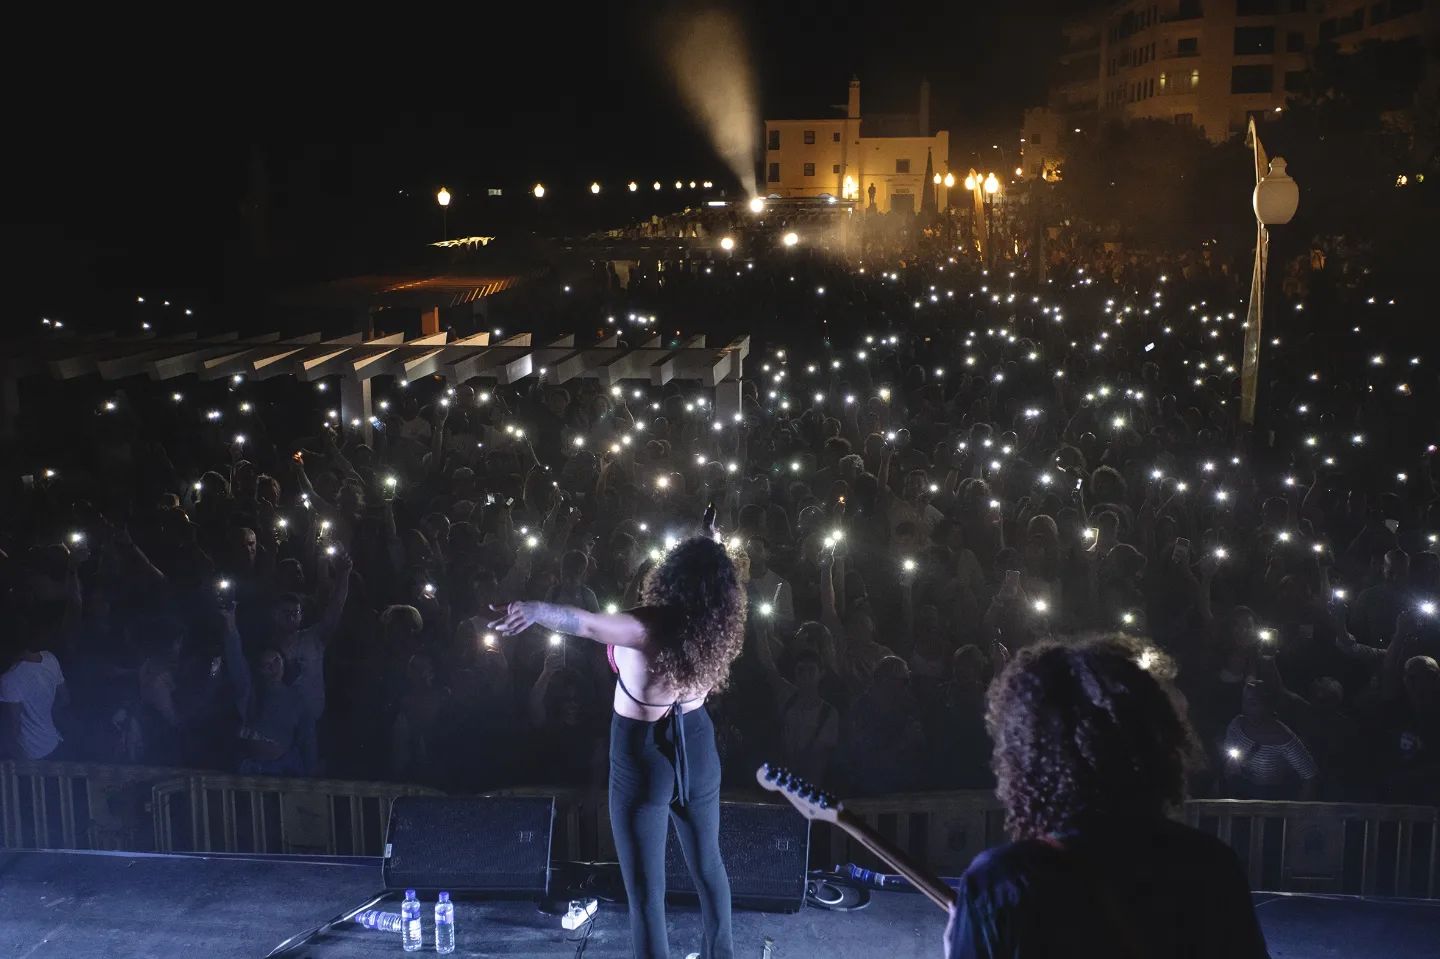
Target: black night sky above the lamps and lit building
(135,150)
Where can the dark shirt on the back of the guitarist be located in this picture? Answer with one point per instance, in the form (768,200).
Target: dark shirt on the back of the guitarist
(1153,889)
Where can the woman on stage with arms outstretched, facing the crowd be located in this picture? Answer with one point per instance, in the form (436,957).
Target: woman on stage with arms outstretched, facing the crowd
(669,654)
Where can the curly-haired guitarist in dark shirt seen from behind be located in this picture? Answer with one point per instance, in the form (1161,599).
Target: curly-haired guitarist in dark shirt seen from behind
(1091,757)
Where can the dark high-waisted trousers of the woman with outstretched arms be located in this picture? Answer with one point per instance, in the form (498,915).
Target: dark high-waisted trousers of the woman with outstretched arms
(643,793)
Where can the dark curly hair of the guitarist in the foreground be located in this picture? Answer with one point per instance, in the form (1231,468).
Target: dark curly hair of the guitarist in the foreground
(1084,731)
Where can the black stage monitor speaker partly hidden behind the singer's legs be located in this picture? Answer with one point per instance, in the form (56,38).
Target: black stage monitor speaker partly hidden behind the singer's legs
(767,855)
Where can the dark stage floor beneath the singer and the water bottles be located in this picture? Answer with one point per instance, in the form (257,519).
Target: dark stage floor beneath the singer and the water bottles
(120,906)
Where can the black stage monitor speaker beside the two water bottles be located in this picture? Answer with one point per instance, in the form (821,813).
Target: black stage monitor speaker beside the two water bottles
(496,847)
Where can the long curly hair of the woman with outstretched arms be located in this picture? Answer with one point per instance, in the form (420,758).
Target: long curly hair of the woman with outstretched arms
(699,587)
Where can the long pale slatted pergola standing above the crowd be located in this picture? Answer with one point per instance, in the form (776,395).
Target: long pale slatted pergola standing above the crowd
(358,361)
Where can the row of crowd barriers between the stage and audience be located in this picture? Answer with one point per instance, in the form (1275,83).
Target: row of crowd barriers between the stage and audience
(1305,847)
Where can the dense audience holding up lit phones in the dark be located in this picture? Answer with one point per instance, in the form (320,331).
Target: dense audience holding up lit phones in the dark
(931,467)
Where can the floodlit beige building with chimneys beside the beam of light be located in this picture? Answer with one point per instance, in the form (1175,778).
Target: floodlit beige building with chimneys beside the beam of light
(876,161)
